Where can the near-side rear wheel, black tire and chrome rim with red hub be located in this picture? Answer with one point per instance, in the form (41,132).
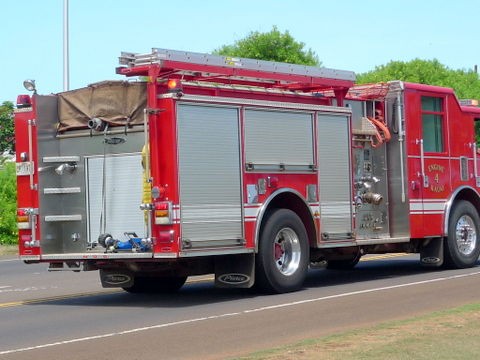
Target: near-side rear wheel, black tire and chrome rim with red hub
(283,253)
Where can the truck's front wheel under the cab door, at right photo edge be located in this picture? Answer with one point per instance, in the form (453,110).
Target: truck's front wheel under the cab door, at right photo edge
(462,245)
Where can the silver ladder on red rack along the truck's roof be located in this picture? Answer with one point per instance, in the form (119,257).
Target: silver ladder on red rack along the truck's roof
(192,66)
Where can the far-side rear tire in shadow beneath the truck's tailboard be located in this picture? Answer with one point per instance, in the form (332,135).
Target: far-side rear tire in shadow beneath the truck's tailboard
(156,285)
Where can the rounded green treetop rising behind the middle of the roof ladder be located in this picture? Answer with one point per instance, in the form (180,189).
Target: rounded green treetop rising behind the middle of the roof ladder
(273,45)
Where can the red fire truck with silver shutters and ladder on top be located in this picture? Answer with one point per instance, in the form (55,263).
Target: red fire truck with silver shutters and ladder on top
(250,170)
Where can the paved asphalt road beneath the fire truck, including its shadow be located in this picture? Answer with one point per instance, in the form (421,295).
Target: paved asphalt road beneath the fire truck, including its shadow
(67,315)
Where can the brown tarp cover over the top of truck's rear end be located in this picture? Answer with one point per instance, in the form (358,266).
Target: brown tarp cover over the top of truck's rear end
(115,102)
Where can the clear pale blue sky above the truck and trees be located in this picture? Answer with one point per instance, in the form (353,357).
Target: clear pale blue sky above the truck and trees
(347,34)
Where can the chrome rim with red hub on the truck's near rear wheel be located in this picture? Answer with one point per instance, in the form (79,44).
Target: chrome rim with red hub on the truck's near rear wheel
(287,251)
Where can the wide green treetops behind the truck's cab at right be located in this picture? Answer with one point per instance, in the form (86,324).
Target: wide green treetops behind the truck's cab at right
(465,82)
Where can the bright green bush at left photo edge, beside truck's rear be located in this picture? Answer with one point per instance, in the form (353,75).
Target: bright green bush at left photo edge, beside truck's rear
(8,199)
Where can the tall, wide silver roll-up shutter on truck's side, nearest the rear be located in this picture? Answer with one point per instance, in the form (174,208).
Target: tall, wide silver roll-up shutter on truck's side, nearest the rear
(209,176)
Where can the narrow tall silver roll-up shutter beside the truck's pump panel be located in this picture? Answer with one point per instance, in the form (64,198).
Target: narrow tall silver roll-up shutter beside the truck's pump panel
(334,172)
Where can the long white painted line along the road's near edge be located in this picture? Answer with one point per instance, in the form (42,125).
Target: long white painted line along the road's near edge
(213,317)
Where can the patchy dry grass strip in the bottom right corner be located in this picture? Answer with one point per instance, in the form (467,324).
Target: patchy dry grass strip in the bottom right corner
(450,334)
